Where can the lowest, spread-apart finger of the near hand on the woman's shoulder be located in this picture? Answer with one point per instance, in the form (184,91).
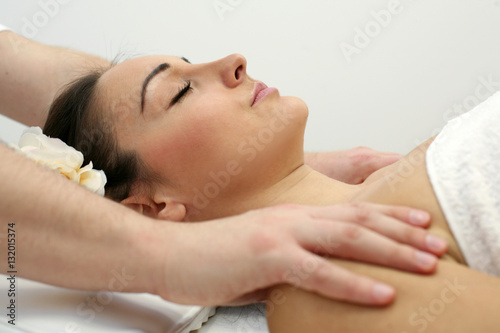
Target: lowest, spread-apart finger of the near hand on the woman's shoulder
(333,281)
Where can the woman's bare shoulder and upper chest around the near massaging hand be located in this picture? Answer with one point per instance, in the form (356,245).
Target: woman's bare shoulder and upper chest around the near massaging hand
(447,301)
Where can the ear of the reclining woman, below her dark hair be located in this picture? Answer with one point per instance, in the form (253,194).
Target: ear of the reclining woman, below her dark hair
(161,208)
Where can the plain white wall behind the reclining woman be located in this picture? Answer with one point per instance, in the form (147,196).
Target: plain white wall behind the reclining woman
(421,66)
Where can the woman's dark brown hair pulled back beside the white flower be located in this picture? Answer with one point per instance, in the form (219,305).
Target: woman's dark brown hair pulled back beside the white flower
(77,117)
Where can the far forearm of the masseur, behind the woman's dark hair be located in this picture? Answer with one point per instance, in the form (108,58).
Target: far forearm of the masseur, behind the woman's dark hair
(31,74)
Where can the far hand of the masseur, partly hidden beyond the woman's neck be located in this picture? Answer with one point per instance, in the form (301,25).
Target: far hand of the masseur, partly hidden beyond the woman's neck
(350,166)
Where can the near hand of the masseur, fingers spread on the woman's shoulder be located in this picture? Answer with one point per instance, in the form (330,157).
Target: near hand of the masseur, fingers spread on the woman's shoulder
(234,260)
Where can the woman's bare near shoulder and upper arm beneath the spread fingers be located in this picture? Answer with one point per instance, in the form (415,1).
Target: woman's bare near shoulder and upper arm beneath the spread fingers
(454,299)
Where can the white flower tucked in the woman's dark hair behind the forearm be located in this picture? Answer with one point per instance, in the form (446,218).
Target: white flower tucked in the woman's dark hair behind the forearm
(57,155)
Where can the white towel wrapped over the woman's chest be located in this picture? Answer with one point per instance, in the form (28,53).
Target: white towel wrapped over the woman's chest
(463,164)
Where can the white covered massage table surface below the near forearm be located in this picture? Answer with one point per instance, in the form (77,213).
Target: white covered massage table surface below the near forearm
(43,308)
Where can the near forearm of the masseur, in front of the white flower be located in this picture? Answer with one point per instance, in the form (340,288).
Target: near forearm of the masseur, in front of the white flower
(69,237)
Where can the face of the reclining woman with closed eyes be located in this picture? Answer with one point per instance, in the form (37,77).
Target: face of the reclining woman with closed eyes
(196,125)
